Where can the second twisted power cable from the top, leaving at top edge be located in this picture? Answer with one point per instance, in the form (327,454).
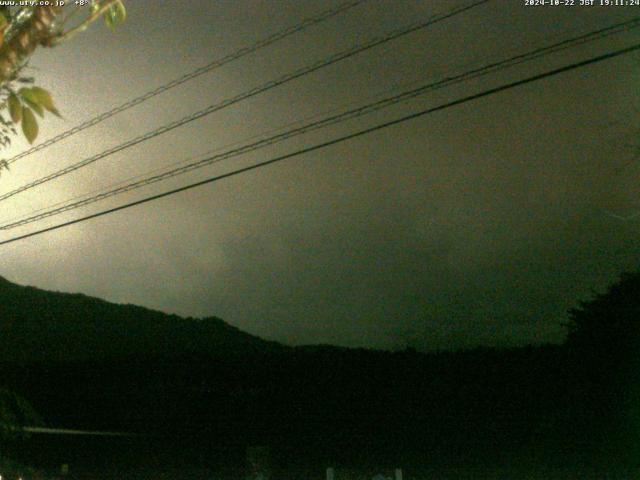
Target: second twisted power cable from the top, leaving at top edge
(243,96)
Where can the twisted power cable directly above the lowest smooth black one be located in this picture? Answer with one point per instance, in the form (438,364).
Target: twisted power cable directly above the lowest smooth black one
(331,120)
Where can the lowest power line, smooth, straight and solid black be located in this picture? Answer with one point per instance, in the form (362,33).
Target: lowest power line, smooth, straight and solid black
(337,140)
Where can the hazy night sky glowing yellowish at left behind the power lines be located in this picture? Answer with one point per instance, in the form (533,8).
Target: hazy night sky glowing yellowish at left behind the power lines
(478,225)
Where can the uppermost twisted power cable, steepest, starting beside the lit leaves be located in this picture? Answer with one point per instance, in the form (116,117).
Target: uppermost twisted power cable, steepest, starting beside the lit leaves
(215,64)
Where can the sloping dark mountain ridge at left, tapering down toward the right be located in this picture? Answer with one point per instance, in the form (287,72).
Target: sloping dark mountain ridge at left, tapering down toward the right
(42,325)
